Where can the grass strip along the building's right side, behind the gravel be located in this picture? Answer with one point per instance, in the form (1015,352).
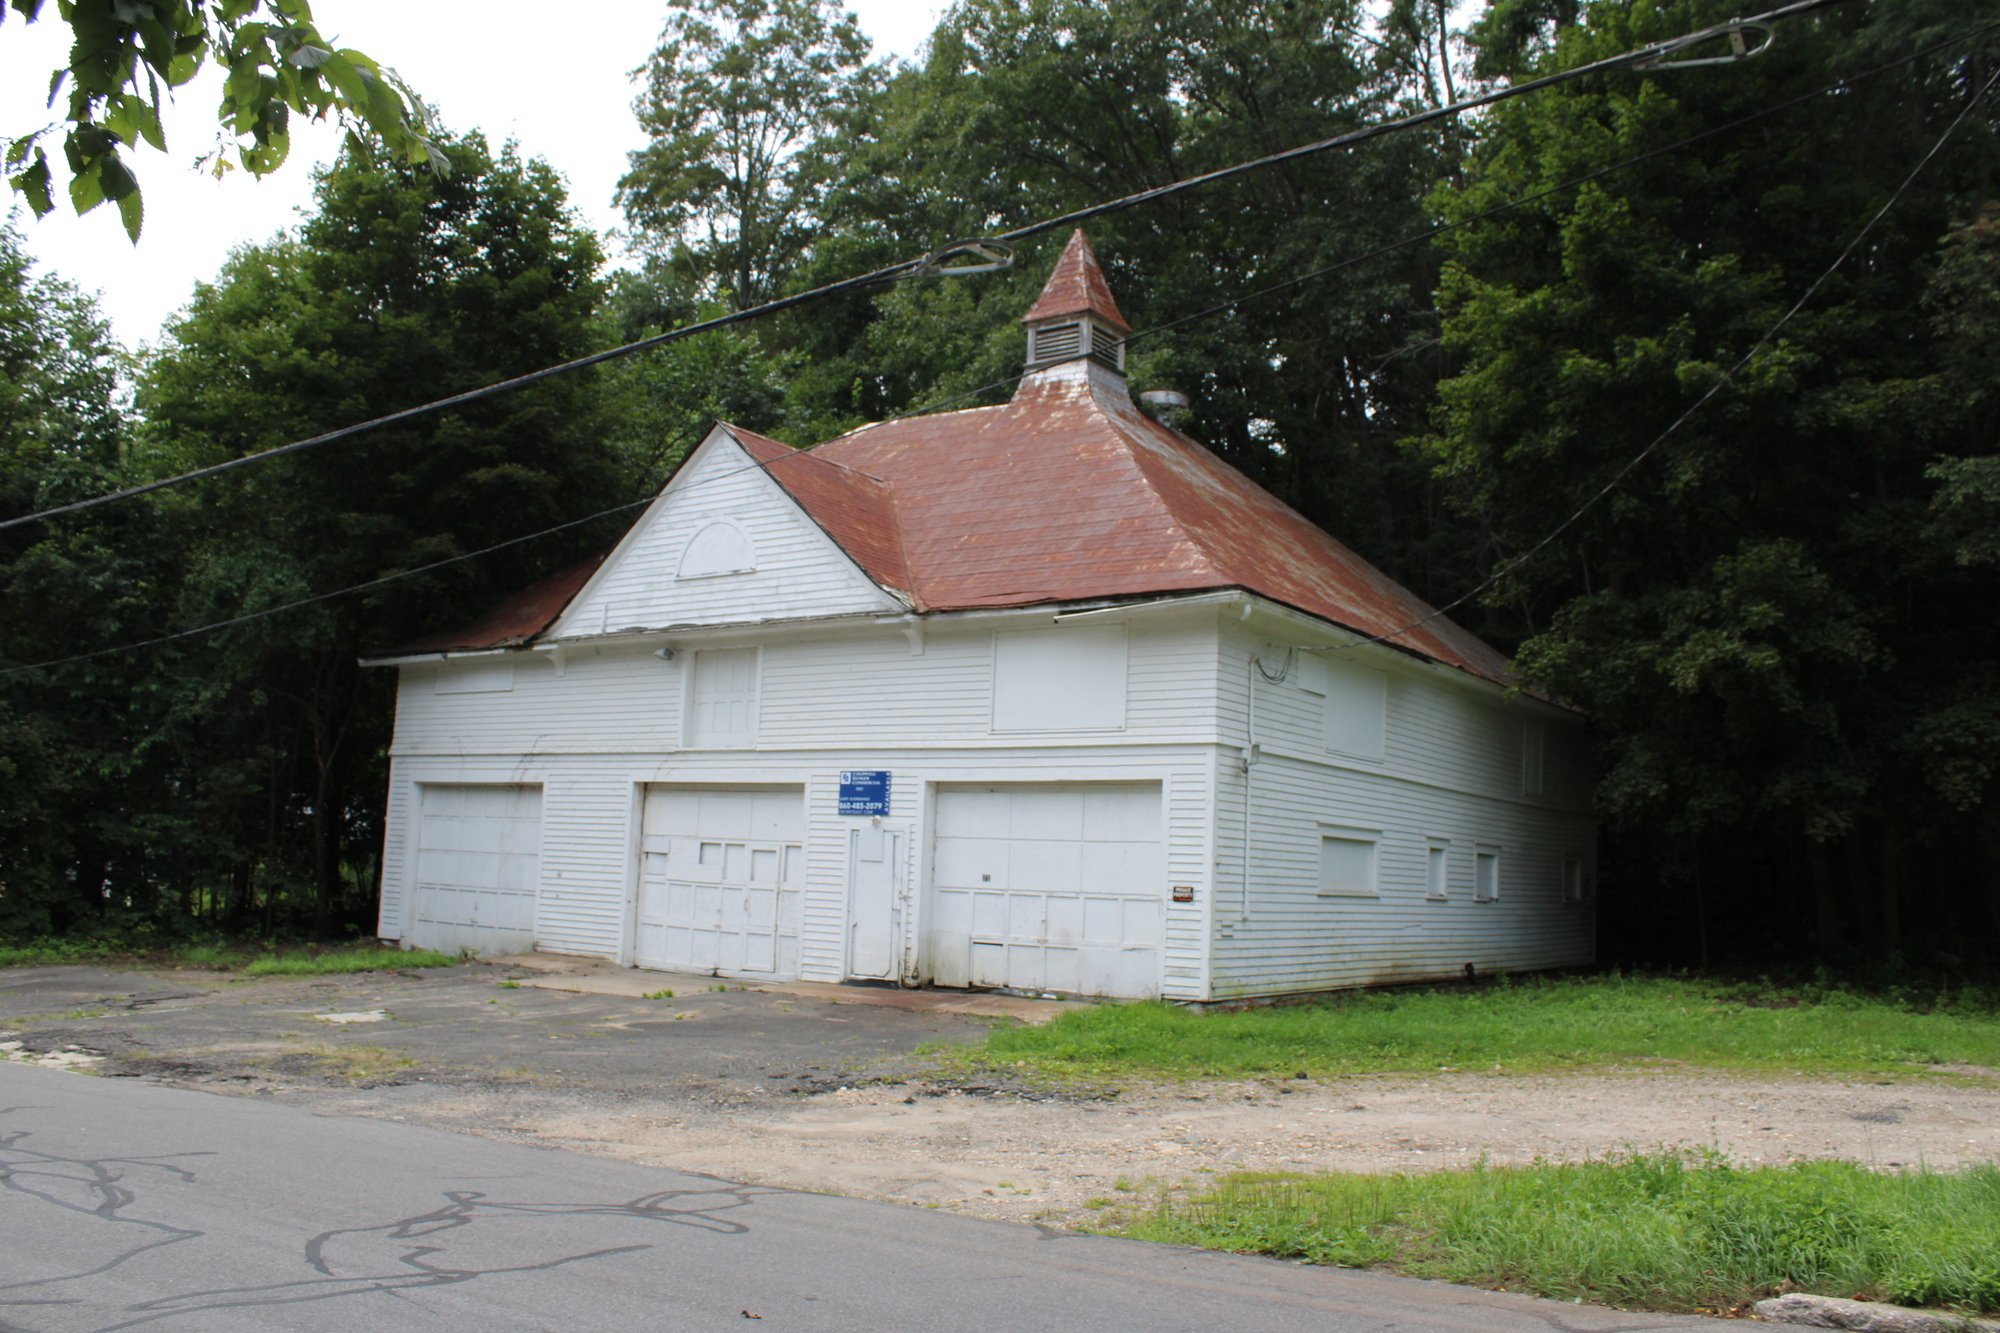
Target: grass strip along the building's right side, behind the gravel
(1533,1026)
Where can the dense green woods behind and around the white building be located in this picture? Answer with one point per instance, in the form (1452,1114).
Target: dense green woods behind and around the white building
(1781,615)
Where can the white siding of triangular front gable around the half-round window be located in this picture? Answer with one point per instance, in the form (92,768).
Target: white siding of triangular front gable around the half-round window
(799,569)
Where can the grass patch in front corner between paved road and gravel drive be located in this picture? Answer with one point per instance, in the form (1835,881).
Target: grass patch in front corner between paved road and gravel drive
(1671,1230)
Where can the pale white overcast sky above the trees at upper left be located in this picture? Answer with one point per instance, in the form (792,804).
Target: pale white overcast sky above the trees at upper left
(505,67)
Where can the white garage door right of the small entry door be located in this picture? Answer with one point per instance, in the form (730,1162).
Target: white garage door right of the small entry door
(1049,888)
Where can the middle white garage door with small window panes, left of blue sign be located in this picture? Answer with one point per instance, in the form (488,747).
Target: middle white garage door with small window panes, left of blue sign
(721,882)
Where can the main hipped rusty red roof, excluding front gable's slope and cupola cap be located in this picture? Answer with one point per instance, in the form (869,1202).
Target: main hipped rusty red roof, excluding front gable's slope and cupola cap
(1071,493)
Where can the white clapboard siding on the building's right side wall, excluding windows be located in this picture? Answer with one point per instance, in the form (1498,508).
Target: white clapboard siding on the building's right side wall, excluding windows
(1451,774)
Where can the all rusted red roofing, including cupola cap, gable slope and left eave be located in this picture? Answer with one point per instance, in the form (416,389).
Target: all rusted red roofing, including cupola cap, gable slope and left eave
(1067,493)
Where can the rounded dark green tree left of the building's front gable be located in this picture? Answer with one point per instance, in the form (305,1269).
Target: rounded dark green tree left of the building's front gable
(401,289)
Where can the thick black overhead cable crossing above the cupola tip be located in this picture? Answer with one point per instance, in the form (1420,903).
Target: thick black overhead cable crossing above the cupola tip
(929,263)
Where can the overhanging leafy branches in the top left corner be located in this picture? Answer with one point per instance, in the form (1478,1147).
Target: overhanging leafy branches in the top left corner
(277,67)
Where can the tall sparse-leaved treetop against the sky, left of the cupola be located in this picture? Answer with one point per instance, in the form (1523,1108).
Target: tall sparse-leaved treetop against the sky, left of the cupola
(739,97)
